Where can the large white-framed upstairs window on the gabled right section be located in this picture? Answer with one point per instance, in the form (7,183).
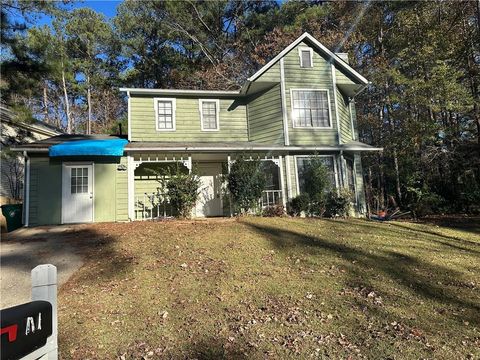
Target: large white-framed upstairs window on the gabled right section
(310,108)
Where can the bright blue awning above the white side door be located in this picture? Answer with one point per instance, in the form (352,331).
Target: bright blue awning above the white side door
(100,147)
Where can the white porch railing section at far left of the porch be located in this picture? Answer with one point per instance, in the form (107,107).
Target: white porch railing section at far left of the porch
(151,206)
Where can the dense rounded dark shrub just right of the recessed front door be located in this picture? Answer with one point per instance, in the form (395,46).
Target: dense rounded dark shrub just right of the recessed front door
(246,182)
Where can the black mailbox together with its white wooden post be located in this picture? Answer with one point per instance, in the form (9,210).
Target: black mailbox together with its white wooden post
(29,331)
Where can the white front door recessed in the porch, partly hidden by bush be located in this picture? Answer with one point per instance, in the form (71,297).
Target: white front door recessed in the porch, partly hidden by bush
(209,201)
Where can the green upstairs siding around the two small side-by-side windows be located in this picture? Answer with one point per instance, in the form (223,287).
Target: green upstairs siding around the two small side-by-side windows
(233,121)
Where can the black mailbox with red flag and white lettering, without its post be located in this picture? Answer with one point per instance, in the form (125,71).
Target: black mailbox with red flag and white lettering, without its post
(25,328)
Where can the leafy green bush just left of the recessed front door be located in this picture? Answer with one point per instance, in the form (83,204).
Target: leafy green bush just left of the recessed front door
(182,190)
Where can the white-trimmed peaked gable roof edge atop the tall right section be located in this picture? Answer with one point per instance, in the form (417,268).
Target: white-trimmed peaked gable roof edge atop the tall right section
(341,65)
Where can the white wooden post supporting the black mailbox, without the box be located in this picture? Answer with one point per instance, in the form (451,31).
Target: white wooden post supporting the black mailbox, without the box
(44,287)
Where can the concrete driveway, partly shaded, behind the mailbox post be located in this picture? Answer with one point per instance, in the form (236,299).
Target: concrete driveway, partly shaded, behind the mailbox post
(23,249)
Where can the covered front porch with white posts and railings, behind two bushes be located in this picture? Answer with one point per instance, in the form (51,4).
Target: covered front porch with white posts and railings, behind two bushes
(148,175)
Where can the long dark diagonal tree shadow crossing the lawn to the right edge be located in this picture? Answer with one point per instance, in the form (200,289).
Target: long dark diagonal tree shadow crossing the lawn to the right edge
(423,278)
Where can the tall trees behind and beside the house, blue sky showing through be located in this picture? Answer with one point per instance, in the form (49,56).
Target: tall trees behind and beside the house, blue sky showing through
(422,58)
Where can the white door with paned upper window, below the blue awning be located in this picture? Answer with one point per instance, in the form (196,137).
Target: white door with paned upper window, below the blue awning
(77,193)
